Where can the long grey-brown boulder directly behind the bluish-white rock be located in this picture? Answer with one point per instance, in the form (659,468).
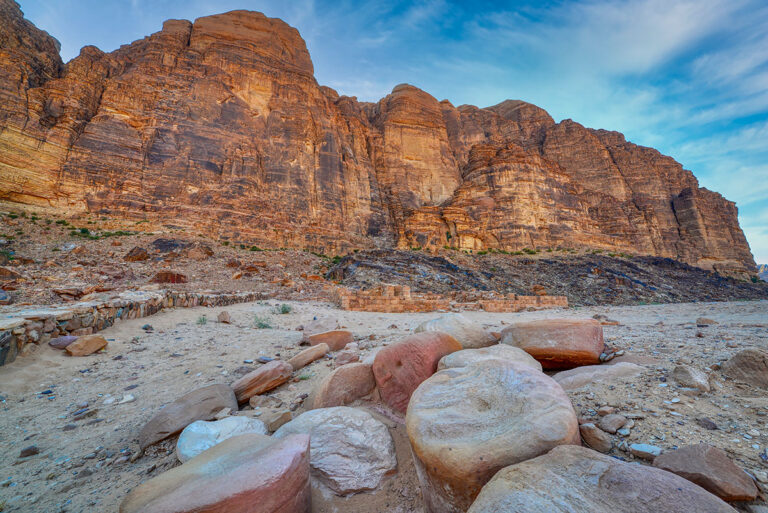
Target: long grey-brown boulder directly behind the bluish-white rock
(200,404)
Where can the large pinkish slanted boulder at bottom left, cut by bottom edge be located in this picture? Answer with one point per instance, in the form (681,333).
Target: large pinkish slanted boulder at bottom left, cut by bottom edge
(243,474)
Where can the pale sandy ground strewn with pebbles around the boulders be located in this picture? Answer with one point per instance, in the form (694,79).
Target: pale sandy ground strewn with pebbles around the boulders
(84,465)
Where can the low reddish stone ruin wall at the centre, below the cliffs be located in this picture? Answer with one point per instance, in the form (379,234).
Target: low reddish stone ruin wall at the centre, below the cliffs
(398,298)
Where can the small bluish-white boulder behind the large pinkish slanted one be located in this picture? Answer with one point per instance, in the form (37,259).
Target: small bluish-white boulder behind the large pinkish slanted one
(202,435)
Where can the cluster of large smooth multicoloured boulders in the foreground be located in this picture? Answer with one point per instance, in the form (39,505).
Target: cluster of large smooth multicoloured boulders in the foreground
(488,428)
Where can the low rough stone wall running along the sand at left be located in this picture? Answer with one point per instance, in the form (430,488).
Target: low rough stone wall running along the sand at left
(36,325)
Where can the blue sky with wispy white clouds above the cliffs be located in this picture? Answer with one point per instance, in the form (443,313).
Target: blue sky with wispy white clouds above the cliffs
(687,77)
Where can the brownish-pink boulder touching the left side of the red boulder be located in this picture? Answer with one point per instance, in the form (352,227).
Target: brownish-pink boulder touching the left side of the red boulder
(344,386)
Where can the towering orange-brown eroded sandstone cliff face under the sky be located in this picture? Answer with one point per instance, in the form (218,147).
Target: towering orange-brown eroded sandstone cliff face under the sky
(219,126)
